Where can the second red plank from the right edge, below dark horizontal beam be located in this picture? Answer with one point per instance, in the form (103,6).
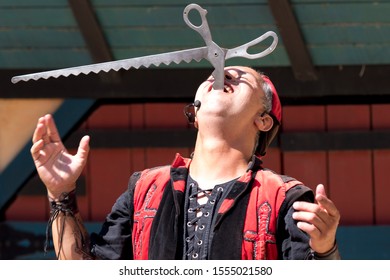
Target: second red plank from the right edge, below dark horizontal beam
(351,186)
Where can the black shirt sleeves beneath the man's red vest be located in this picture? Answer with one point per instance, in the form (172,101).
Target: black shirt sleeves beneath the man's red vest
(114,240)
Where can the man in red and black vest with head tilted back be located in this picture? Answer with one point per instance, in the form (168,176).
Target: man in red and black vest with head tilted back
(219,204)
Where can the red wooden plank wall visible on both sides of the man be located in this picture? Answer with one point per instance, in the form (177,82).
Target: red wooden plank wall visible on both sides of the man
(356,180)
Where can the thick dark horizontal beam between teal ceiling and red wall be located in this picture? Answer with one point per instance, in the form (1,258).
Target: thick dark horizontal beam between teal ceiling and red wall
(334,86)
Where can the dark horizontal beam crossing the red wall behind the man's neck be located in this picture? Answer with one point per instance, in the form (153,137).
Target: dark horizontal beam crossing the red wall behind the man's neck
(185,138)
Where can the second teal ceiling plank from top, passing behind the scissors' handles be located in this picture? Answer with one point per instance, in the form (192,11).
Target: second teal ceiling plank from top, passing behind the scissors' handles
(231,36)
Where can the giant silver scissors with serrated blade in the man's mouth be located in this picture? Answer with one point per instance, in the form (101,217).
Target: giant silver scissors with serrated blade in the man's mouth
(211,52)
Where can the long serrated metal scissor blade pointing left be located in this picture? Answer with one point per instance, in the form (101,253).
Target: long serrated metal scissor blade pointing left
(177,57)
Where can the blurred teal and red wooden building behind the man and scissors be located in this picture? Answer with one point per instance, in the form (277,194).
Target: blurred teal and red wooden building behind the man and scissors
(331,69)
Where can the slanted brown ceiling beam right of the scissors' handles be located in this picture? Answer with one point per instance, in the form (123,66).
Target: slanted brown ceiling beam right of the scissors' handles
(293,40)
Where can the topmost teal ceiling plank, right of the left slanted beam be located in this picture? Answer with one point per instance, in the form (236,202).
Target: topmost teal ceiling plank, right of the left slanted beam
(243,14)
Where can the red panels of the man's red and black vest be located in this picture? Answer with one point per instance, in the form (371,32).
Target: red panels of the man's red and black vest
(267,193)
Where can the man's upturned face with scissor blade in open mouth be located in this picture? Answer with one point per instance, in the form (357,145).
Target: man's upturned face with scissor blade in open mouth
(241,96)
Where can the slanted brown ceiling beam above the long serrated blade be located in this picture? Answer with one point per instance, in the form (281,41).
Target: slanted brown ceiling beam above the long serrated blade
(93,35)
